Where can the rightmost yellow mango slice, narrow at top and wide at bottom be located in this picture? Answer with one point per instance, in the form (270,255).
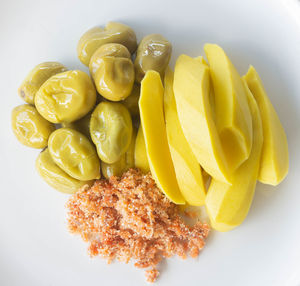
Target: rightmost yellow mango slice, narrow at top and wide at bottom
(274,163)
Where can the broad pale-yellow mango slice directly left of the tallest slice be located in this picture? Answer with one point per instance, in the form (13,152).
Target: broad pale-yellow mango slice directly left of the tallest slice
(192,91)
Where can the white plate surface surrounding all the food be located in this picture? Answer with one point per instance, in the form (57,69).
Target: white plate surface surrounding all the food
(36,248)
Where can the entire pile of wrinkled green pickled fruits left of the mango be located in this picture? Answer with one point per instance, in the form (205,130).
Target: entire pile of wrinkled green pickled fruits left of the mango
(86,125)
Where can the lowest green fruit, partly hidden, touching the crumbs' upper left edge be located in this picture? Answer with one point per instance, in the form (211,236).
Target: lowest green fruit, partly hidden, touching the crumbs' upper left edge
(55,176)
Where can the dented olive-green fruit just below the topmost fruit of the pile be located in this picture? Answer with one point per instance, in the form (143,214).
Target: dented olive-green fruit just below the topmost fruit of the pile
(114,77)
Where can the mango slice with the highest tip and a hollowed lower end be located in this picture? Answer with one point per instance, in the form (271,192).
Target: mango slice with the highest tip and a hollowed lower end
(233,118)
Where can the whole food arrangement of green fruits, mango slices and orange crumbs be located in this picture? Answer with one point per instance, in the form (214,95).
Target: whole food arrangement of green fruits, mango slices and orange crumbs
(163,140)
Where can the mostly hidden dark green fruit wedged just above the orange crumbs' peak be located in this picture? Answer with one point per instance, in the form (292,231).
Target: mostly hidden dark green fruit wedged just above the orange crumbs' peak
(123,164)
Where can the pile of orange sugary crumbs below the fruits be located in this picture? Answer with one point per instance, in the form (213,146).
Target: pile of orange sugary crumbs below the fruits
(129,218)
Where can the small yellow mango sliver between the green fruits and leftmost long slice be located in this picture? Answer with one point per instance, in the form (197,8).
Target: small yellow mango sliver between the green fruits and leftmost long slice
(140,153)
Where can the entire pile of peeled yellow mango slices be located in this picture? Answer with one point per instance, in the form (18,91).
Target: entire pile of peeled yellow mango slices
(207,135)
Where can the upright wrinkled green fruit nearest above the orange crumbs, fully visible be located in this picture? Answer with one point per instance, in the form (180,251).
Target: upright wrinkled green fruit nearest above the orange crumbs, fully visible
(111,130)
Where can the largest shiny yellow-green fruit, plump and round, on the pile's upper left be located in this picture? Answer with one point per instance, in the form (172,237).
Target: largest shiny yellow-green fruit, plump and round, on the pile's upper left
(66,97)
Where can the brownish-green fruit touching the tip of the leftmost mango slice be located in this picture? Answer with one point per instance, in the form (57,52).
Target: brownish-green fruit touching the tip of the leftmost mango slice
(153,53)
